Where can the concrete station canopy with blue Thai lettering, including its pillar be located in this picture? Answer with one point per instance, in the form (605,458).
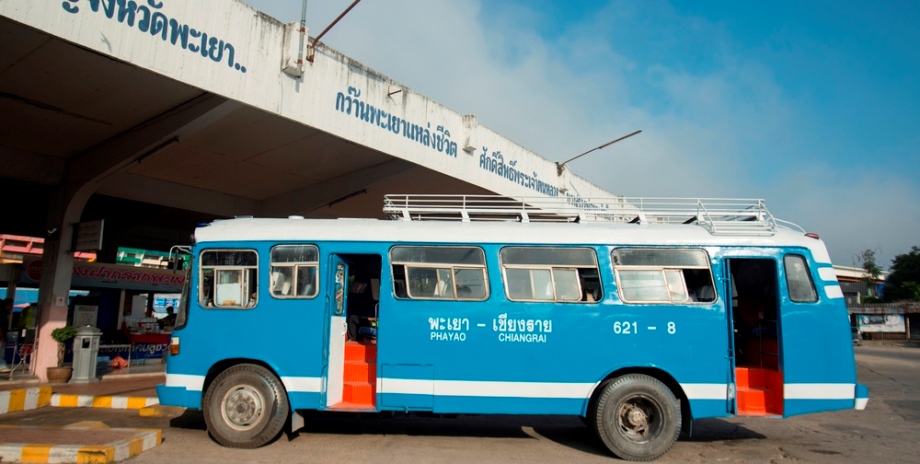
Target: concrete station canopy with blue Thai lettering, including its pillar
(158,115)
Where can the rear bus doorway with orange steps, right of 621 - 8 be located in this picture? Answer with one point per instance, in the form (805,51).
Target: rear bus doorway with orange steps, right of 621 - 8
(757,340)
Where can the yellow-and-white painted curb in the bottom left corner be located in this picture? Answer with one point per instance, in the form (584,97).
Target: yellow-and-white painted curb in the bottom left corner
(137,441)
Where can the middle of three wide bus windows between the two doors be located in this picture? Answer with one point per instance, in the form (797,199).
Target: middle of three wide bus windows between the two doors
(550,274)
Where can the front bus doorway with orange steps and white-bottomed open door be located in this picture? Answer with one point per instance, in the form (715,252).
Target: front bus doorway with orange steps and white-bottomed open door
(351,377)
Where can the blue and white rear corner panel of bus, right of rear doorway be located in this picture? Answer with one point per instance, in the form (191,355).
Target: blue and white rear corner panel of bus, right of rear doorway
(818,361)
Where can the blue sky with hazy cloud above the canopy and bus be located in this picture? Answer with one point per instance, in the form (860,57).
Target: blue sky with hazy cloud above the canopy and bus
(812,106)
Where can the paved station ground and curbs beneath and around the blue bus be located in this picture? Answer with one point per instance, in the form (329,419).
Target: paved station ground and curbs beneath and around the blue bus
(104,434)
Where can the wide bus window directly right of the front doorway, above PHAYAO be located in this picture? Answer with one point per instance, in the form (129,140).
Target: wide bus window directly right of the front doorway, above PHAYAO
(439,273)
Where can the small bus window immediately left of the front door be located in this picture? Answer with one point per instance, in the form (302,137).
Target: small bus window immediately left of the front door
(294,271)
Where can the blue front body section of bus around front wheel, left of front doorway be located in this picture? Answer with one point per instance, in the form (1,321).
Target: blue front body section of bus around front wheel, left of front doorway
(262,334)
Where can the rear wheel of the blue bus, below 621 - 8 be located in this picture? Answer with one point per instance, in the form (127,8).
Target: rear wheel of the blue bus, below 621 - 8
(637,417)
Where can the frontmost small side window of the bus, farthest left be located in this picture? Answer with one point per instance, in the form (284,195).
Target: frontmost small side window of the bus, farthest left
(228,278)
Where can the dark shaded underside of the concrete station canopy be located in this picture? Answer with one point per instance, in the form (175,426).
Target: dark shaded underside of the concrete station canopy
(164,156)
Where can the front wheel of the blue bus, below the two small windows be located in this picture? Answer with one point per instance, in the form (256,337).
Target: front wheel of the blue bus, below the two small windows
(246,406)
